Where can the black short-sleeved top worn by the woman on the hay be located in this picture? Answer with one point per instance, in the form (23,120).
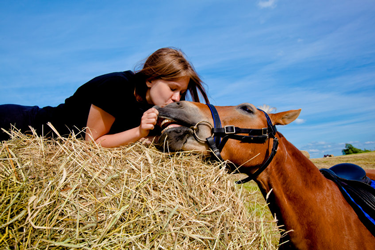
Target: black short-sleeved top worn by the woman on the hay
(114,93)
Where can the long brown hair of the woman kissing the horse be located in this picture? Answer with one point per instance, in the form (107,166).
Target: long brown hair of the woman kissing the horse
(169,64)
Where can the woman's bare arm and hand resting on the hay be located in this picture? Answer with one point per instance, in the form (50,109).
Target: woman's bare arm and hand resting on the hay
(100,122)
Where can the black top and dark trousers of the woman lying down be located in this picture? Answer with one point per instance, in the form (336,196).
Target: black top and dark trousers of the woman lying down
(114,93)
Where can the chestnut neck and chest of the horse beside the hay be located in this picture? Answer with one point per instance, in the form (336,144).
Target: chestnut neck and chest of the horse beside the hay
(303,201)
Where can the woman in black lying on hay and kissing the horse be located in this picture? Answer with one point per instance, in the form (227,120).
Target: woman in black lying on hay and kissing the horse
(116,108)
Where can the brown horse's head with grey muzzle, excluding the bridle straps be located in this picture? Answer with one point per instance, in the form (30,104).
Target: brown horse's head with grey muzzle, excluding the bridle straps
(187,125)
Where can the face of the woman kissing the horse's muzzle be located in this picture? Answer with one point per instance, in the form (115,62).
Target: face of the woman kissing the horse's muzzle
(162,92)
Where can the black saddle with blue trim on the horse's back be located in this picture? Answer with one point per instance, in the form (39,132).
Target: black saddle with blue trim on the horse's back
(358,190)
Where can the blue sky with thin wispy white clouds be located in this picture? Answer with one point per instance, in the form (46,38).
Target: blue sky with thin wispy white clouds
(315,55)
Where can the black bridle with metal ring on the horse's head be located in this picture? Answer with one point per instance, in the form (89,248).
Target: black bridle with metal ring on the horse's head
(220,135)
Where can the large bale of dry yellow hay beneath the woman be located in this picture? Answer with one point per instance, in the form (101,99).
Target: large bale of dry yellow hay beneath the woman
(69,193)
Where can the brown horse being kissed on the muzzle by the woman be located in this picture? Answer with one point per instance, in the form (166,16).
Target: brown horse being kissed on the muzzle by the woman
(309,206)
